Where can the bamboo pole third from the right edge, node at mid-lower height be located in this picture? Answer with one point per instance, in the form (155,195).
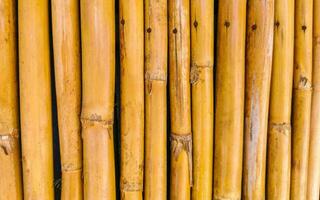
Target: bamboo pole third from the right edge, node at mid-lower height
(279,131)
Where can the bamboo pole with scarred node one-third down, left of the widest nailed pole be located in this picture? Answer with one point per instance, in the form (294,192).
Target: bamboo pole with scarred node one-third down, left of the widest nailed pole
(202,96)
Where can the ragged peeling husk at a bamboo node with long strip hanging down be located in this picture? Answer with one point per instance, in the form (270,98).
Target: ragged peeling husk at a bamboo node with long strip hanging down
(179,143)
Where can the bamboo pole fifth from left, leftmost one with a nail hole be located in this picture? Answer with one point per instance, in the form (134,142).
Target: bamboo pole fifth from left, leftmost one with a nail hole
(132,98)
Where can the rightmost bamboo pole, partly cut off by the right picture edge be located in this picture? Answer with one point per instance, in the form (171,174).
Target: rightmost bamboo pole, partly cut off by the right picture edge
(314,149)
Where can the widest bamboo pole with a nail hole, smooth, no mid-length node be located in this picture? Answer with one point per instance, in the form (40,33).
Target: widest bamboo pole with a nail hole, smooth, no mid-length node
(230,99)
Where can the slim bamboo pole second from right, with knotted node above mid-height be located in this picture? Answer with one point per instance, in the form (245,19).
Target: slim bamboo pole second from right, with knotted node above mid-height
(302,95)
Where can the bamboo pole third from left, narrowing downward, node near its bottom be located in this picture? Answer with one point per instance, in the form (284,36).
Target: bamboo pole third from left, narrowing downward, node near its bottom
(66,46)
